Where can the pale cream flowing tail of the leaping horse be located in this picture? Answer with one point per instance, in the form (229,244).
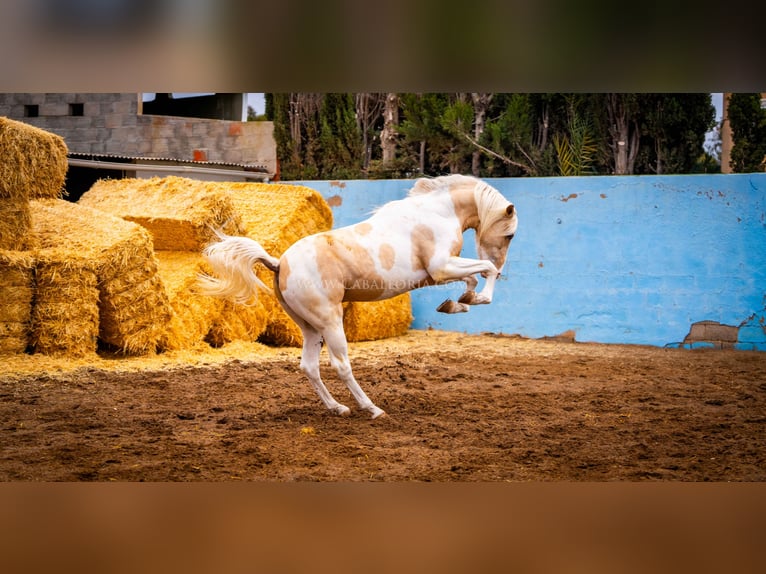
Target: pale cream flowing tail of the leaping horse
(232,260)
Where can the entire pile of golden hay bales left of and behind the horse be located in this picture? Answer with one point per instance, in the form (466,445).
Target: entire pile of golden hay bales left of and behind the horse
(120,267)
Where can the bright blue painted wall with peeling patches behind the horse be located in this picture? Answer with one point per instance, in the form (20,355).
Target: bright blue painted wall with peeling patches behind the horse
(633,259)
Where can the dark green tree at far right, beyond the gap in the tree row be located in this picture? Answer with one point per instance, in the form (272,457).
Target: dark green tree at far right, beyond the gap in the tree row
(748,127)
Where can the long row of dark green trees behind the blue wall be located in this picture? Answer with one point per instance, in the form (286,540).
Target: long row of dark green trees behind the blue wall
(319,136)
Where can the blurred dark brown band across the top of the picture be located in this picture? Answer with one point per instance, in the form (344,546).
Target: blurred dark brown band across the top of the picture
(390,45)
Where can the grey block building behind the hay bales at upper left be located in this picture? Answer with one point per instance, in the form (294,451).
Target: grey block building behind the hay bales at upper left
(145,135)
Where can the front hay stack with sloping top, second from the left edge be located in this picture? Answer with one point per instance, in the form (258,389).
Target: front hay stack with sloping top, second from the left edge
(103,282)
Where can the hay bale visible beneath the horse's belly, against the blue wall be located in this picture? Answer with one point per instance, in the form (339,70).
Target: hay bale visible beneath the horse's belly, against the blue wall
(373,320)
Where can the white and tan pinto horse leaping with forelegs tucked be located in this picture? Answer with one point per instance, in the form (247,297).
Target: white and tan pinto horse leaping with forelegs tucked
(405,244)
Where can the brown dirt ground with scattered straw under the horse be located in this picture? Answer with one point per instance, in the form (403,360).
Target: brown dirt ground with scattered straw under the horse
(460,408)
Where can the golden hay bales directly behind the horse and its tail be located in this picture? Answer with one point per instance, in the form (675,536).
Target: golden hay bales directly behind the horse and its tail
(180,215)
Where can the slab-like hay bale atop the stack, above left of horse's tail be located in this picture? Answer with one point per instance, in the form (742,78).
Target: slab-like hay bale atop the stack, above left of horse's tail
(178,212)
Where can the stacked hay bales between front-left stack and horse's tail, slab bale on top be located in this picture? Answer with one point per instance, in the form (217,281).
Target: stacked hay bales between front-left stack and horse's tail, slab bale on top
(180,214)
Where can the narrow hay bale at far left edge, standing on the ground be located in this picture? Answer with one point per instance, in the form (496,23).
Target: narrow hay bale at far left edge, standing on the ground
(16,293)
